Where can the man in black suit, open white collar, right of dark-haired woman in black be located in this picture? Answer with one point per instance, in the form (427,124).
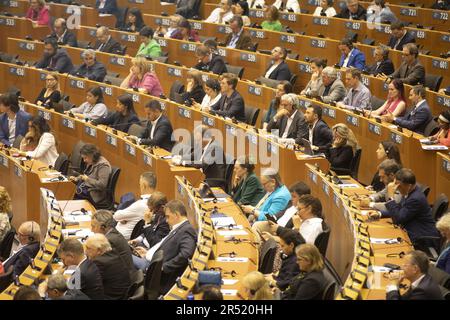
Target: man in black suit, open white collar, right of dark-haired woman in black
(159,130)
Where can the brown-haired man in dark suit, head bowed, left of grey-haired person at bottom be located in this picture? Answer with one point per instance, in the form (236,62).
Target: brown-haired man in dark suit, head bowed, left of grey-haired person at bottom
(86,276)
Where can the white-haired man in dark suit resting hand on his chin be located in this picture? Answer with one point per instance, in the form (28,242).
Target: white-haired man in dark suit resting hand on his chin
(289,121)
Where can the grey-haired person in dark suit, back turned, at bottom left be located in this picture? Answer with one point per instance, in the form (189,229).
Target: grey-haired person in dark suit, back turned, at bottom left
(115,278)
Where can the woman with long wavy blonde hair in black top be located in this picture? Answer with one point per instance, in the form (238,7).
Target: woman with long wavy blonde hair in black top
(343,149)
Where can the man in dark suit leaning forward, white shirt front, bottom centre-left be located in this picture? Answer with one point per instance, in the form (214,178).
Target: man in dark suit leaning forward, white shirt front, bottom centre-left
(177,247)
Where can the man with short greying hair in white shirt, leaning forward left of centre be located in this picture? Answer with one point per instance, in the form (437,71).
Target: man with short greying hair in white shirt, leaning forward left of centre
(129,216)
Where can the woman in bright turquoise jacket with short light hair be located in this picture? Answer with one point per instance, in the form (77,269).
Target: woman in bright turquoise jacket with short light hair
(276,198)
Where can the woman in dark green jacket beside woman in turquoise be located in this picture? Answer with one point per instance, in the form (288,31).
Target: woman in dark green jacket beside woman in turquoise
(247,190)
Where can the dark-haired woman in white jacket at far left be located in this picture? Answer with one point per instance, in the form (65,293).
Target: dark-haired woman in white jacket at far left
(44,142)
